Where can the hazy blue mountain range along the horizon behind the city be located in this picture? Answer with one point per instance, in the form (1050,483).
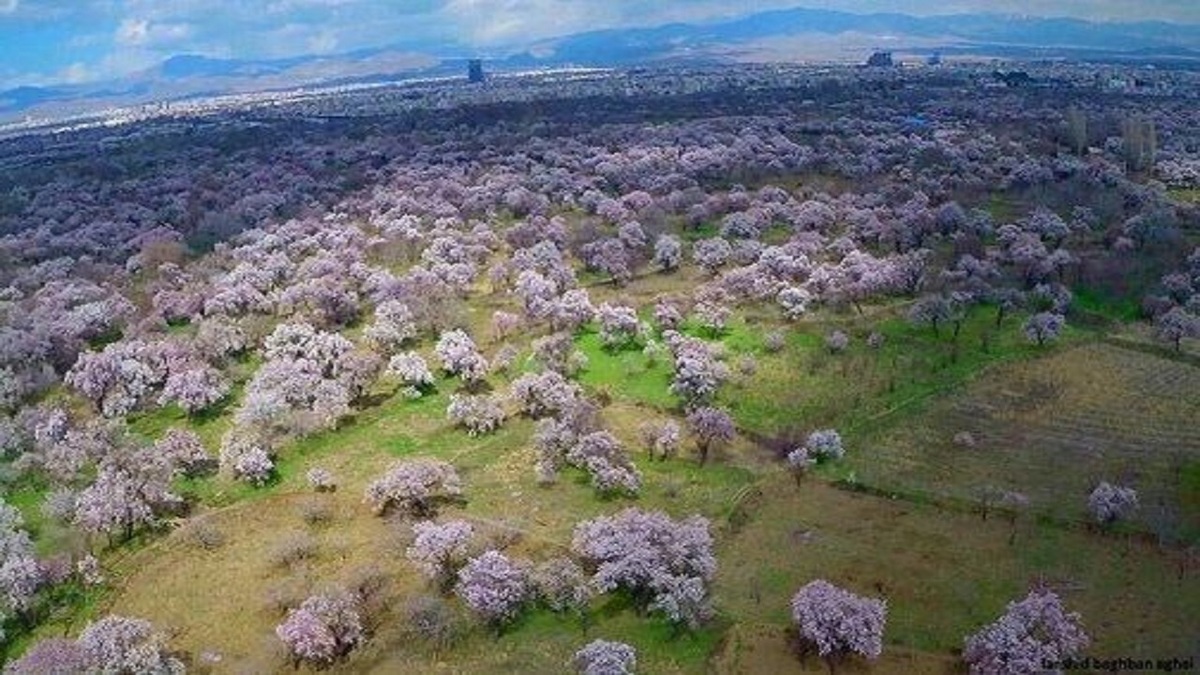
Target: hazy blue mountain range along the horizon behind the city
(789,35)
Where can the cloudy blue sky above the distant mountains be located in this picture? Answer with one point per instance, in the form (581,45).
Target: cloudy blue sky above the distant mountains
(67,41)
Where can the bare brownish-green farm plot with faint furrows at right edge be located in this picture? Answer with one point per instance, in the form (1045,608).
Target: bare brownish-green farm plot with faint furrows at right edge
(1052,429)
